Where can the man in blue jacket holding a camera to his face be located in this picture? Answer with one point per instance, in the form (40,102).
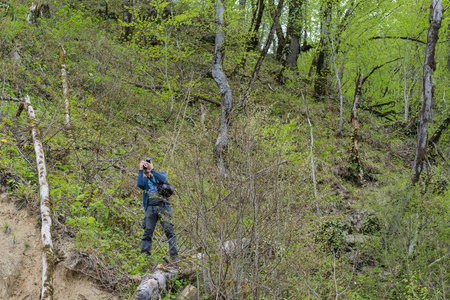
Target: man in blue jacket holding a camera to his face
(156,208)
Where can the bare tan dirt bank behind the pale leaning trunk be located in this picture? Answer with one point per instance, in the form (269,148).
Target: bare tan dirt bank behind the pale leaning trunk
(21,261)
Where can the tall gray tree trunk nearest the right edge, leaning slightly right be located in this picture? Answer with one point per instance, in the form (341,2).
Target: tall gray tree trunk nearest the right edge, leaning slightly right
(428,86)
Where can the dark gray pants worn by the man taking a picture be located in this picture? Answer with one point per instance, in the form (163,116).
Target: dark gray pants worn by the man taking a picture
(164,214)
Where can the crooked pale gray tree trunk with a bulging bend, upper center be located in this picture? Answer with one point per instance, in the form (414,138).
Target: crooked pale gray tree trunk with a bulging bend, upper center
(224,88)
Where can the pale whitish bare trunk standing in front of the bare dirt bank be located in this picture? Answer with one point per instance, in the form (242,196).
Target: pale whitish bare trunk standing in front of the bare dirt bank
(46,219)
